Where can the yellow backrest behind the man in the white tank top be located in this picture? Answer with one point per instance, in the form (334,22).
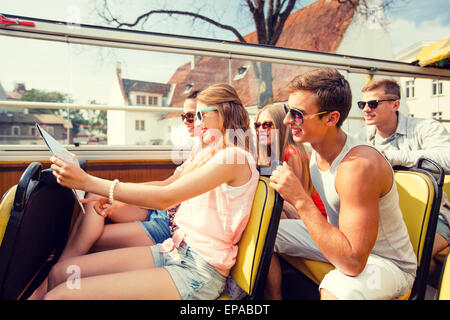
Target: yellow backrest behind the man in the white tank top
(419,203)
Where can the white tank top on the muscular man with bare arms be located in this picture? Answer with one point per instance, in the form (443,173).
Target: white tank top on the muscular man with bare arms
(392,241)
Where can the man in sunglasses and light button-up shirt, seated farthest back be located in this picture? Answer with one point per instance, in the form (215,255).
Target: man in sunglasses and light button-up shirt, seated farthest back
(403,140)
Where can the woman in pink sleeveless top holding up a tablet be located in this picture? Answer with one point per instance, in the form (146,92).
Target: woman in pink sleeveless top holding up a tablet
(195,262)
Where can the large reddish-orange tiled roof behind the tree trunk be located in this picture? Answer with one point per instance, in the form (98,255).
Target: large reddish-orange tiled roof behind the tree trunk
(317,27)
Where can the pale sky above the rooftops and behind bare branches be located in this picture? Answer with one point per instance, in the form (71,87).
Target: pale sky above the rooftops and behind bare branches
(86,73)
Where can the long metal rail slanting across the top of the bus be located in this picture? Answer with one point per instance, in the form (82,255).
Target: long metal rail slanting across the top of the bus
(151,41)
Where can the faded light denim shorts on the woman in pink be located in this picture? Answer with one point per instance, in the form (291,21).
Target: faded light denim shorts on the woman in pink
(194,278)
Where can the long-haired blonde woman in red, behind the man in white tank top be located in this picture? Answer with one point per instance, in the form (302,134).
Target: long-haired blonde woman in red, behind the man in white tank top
(275,142)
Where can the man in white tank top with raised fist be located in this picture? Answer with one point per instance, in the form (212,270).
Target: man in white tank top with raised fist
(365,237)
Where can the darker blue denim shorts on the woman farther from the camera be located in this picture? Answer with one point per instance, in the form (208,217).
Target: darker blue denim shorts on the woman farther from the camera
(157,225)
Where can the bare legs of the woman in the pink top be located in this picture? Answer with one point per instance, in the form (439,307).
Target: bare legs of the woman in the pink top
(127,273)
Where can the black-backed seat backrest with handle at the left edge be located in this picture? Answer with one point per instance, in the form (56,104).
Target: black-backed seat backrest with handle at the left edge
(36,231)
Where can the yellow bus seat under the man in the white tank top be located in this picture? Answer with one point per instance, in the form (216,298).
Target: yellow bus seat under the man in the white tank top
(418,202)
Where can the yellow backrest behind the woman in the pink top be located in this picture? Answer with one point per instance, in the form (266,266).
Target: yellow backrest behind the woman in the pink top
(257,241)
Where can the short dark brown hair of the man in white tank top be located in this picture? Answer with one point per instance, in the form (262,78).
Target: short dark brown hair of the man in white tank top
(331,89)
